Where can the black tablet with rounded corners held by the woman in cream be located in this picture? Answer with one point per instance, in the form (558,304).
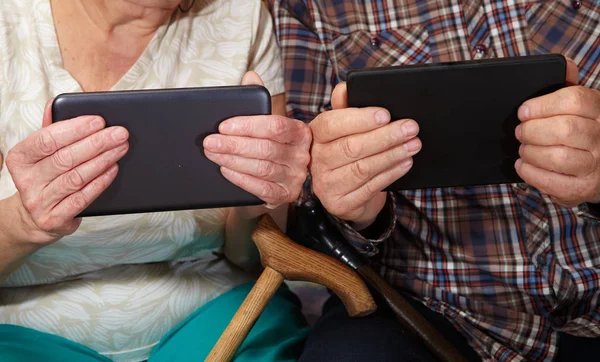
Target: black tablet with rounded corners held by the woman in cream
(165,168)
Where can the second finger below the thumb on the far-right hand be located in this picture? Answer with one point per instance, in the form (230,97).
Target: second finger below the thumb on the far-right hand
(570,131)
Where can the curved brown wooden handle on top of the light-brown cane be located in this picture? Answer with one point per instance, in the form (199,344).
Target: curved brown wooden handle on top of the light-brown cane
(296,262)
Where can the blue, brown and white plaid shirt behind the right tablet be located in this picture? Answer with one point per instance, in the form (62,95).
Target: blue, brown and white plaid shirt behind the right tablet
(504,264)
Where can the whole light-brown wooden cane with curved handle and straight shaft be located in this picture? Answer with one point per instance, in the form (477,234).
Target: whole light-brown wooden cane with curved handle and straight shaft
(285,259)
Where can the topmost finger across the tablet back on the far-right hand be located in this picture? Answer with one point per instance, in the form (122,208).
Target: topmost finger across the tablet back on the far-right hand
(575,100)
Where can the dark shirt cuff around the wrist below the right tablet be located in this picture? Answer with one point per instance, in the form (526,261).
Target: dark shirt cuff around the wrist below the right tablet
(385,225)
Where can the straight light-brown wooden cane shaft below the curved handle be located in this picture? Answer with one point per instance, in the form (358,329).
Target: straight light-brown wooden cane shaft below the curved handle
(245,317)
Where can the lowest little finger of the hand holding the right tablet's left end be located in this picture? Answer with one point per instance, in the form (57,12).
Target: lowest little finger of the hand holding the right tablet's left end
(370,189)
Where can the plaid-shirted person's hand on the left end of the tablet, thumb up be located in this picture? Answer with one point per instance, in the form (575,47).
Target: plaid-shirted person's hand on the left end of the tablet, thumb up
(357,153)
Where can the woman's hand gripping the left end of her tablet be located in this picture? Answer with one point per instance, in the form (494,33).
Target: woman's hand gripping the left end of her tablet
(60,169)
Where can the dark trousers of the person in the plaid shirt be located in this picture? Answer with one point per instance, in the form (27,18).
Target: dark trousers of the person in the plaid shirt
(379,337)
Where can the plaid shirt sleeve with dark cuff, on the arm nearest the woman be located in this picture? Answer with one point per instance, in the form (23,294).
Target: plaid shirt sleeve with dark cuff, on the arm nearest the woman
(306,59)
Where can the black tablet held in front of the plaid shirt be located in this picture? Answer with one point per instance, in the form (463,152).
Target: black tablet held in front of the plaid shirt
(466,111)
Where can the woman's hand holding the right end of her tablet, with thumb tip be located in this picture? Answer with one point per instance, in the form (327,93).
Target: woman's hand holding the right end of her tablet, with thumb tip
(266,155)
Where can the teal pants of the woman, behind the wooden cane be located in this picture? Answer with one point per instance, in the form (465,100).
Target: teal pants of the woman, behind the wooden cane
(278,335)
